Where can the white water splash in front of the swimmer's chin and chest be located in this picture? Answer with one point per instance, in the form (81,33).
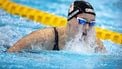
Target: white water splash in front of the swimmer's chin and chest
(83,43)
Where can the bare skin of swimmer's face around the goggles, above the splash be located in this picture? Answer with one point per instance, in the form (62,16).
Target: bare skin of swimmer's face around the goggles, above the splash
(74,27)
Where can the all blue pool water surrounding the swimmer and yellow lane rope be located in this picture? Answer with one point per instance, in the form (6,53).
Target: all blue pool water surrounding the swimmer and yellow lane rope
(13,28)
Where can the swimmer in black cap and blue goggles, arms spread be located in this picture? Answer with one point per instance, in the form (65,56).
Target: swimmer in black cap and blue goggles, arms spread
(81,20)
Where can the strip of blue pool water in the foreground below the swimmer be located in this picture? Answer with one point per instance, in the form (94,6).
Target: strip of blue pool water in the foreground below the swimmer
(58,60)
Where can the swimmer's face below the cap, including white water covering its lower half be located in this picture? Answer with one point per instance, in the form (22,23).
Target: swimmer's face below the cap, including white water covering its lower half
(76,30)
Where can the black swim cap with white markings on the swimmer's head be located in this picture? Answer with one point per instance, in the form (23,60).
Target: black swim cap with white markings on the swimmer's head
(80,7)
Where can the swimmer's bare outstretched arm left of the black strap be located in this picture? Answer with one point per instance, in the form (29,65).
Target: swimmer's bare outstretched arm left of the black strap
(39,35)
